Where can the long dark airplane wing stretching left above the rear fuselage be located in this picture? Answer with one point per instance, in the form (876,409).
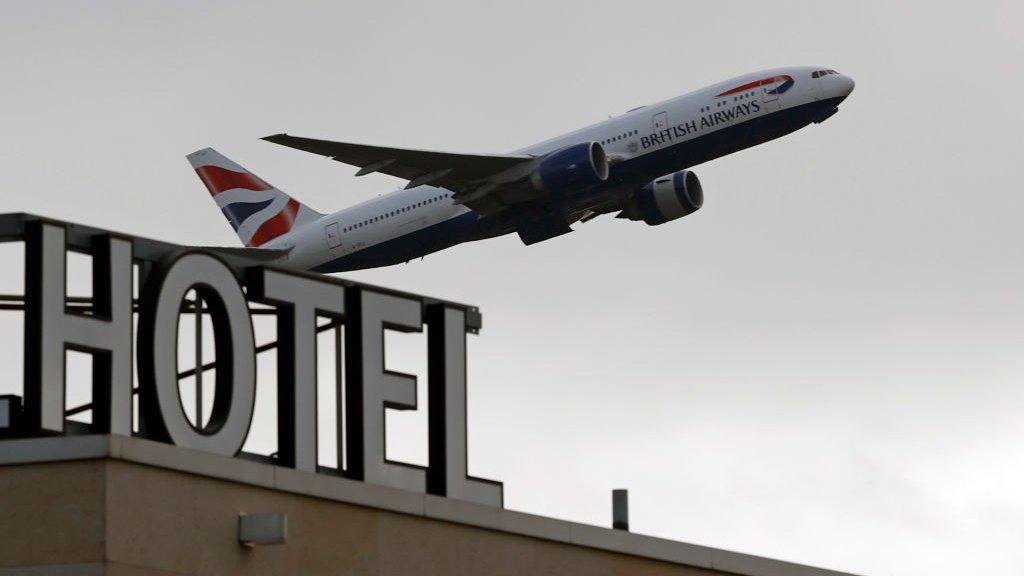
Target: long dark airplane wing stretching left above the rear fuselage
(419,167)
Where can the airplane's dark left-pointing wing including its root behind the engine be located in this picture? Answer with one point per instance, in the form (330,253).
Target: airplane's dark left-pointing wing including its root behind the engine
(470,176)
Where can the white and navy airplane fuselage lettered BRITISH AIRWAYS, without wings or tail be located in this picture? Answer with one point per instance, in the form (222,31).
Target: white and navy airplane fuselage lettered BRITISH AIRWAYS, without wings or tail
(644,144)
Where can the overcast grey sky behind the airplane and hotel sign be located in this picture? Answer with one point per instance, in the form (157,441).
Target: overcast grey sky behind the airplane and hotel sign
(823,365)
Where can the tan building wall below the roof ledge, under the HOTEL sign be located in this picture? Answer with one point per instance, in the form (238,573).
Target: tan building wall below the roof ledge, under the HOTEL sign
(115,517)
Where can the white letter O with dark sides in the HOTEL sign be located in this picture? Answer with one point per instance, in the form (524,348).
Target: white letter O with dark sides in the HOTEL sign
(235,394)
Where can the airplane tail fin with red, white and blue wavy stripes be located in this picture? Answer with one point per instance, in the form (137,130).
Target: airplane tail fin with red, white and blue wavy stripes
(257,211)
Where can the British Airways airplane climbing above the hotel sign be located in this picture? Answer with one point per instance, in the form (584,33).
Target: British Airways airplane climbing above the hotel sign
(636,166)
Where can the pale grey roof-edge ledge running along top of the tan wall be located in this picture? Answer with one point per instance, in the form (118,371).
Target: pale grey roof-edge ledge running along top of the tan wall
(345,490)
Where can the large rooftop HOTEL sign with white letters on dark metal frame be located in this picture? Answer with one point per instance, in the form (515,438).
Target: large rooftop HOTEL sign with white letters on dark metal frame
(230,284)
